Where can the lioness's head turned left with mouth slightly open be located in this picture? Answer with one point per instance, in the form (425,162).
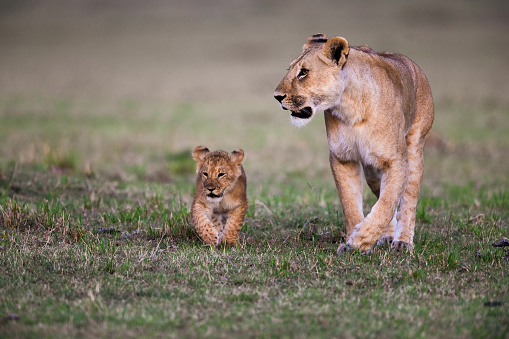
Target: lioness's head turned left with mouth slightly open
(314,80)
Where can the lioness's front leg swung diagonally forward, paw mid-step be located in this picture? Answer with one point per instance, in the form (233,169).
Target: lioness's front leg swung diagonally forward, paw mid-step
(372,227)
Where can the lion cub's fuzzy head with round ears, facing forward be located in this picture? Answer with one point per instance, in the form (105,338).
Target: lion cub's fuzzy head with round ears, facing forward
(217,171)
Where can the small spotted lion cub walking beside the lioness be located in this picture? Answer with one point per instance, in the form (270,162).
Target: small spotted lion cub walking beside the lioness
(220,202)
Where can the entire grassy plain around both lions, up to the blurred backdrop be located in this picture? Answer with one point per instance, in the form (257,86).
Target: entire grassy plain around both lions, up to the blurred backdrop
(96,175)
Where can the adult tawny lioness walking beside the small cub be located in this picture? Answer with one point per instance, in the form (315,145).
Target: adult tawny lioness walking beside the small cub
(378,113)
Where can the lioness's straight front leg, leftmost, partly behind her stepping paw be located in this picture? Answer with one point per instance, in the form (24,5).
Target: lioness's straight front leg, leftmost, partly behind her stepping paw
(347,176)
